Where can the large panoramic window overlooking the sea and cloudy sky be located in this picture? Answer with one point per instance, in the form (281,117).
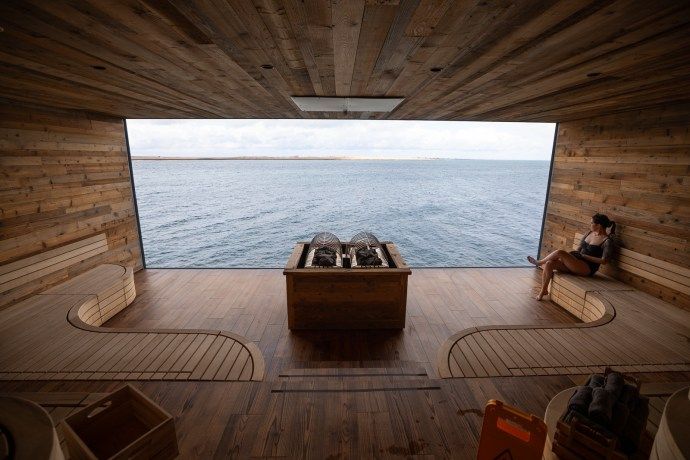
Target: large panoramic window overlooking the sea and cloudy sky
(448,193)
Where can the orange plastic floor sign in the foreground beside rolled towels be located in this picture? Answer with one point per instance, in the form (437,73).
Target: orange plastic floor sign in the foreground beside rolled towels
(509,433)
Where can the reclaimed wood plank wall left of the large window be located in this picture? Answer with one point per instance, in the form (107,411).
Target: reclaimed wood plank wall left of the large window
(65,176)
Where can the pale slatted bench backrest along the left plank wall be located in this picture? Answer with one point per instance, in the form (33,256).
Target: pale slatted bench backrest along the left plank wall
(31,269)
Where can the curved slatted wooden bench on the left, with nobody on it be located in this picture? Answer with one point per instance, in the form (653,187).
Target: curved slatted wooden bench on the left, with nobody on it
(57,335)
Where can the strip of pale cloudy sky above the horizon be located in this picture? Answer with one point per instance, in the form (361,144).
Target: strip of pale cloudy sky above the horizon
(342,138)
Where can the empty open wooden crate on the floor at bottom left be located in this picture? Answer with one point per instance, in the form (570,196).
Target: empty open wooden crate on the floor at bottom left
(123,425)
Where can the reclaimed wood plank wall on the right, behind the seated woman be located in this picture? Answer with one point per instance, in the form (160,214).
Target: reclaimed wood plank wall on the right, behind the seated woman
(634,167)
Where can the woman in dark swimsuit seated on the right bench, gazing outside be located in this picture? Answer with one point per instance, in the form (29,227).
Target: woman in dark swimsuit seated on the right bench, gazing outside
(596,248)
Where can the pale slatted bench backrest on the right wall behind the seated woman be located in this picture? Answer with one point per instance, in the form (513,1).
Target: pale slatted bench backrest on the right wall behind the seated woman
(658,271)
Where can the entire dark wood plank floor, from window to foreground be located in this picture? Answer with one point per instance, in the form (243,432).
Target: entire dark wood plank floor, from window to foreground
(368,394)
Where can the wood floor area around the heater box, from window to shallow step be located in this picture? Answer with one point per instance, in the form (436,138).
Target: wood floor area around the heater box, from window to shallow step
(252,303)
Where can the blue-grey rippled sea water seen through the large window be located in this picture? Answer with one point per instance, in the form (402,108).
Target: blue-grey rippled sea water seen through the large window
(440,213)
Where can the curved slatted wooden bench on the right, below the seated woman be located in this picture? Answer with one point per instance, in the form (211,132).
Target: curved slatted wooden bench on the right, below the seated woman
(626,329)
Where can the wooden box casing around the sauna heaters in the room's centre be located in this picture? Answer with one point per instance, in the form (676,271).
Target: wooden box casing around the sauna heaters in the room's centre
(346,298)
